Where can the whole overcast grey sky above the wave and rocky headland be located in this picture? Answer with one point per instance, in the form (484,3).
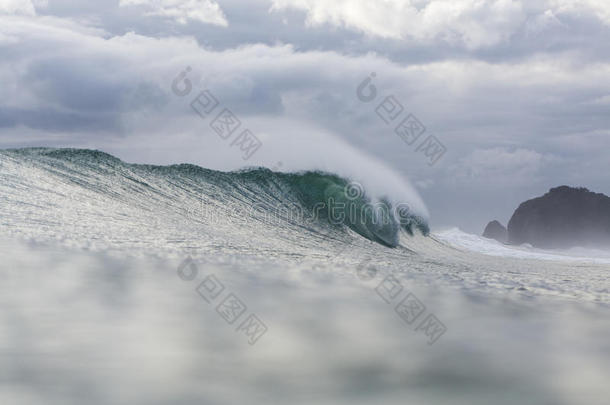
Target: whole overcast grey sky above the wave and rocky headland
(517,91)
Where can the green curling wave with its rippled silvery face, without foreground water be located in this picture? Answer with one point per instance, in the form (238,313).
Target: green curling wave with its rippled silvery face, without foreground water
(87,195)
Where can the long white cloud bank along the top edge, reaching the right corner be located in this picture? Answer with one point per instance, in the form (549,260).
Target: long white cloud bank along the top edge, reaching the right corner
(470,23)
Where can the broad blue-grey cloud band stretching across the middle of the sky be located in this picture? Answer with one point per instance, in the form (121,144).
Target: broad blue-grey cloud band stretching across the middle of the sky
(462,101)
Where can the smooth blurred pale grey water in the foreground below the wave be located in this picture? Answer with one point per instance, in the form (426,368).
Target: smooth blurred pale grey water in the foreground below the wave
(80,327)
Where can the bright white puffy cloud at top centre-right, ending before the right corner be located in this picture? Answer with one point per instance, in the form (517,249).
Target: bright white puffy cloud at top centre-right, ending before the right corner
(474,23)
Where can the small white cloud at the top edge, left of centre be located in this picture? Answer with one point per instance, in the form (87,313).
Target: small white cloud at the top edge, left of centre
(205,11)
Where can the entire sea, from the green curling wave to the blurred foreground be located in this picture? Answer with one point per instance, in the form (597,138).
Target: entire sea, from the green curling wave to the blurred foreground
(100,302)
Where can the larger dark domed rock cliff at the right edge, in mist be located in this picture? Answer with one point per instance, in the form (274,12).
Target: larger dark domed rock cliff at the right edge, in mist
(564,217)
